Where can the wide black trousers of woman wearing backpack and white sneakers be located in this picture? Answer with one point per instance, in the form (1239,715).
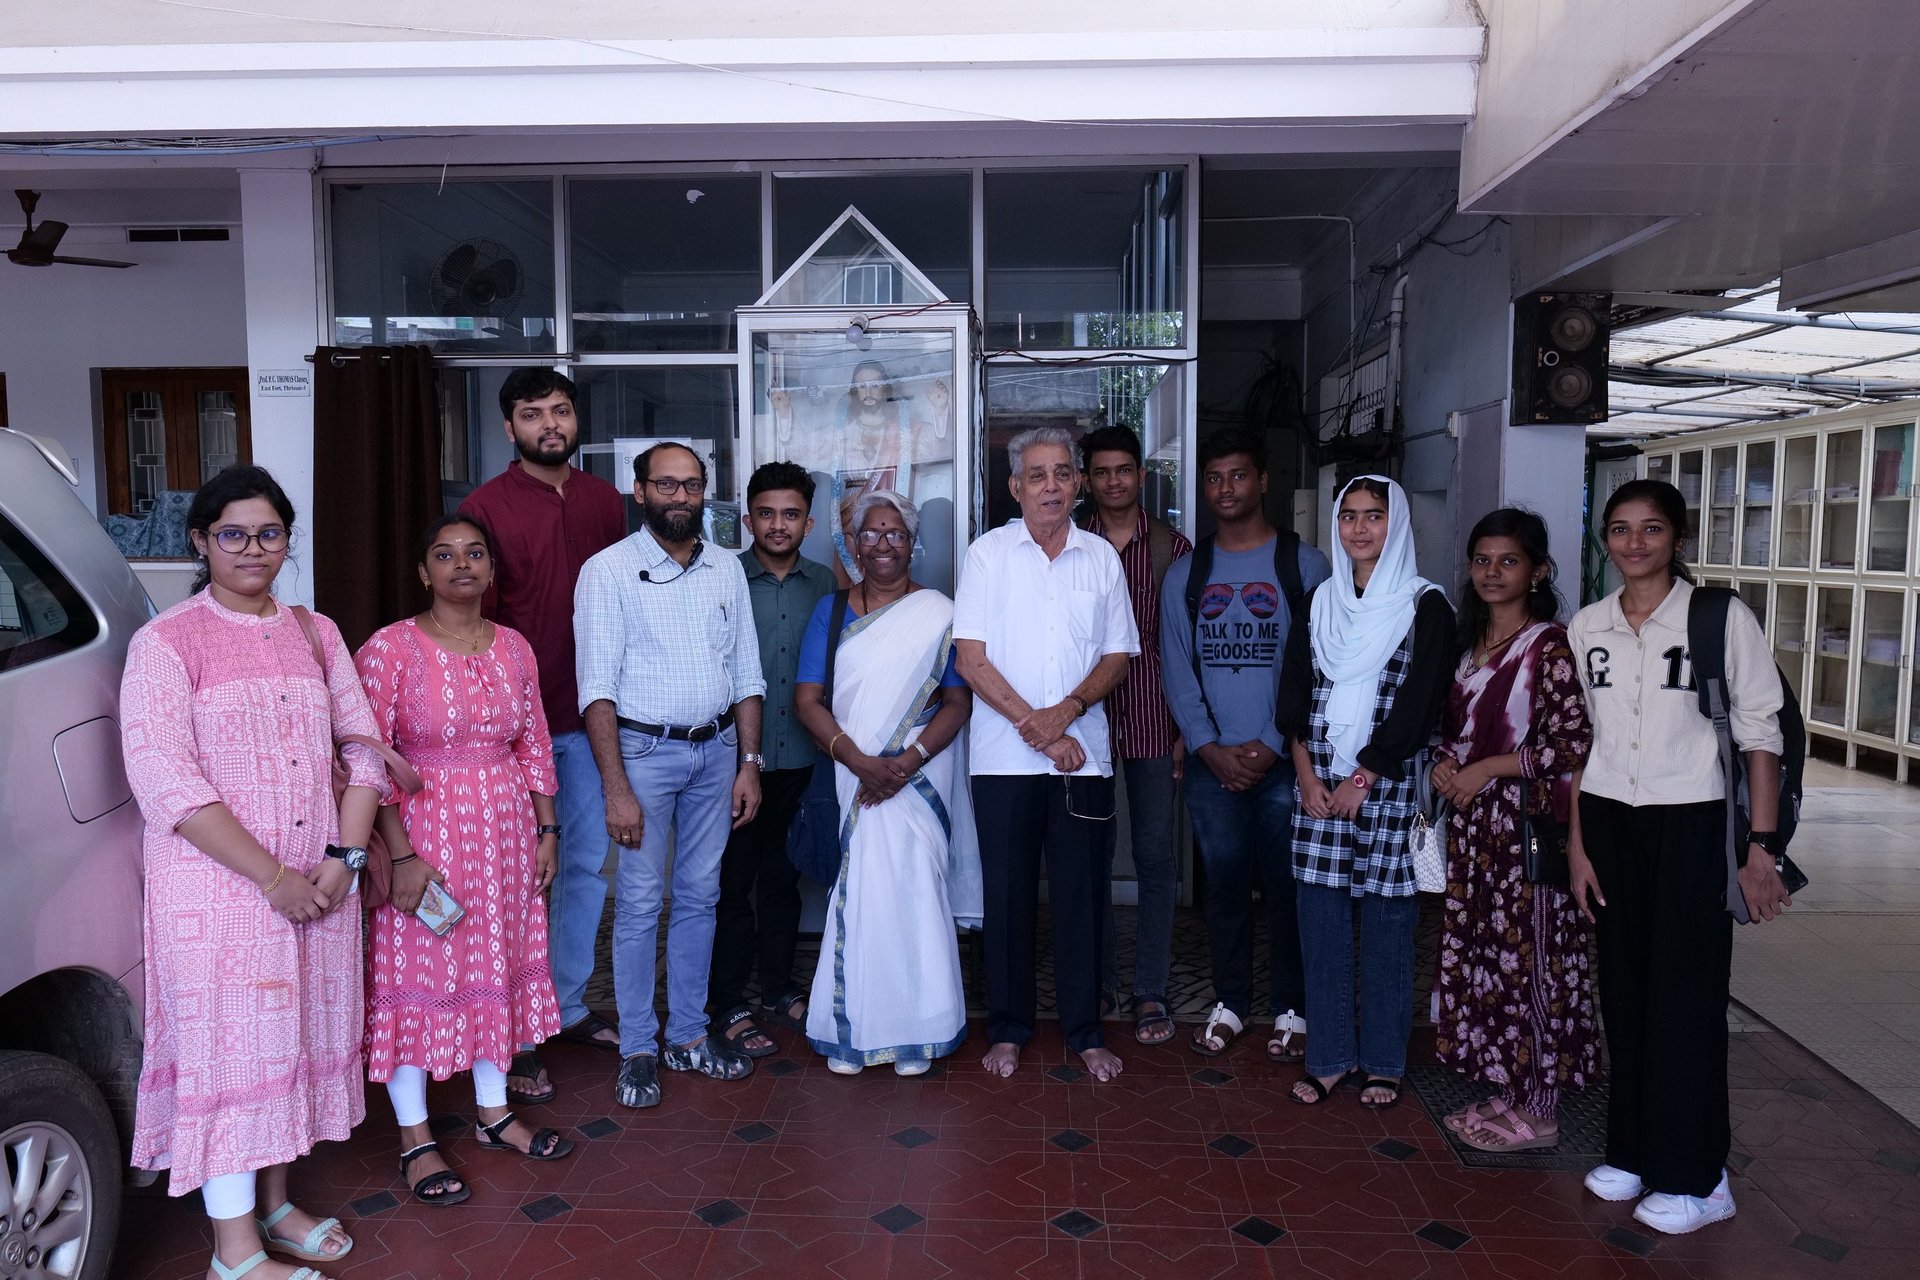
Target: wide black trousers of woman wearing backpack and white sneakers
(1666,960)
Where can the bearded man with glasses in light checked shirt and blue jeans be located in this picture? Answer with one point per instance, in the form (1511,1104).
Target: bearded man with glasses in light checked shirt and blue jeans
(671,690)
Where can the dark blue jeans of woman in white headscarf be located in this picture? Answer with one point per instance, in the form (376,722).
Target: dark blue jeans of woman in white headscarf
(1385,982)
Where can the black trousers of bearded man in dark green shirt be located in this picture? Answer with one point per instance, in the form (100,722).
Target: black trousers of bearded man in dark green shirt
(759,913)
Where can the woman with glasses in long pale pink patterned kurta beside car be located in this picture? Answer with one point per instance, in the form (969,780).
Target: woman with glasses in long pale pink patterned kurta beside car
(252,930)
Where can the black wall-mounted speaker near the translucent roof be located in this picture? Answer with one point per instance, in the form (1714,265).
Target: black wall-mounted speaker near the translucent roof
(1560,358)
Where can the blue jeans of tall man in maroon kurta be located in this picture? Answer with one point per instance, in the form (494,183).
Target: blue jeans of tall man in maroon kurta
(579,891)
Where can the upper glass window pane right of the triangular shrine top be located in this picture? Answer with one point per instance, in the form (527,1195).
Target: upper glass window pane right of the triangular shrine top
(1086,258)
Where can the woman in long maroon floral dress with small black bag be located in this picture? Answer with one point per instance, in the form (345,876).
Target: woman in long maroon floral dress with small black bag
(1516,978)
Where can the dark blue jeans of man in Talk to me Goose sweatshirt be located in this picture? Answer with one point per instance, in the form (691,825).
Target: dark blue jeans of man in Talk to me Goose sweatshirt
(1239,836)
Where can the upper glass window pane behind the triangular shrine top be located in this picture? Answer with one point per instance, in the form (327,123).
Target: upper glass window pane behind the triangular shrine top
(926,216)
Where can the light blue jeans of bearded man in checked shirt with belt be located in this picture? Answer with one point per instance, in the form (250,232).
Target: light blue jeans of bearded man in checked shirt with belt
(684,790)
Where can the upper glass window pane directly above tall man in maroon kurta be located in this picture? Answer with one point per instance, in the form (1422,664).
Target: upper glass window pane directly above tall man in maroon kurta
(661,264)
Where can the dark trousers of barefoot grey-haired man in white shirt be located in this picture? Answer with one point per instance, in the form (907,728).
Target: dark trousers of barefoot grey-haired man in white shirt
(1022,820)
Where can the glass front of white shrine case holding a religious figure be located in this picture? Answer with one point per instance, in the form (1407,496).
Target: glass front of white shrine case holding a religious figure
(876,419)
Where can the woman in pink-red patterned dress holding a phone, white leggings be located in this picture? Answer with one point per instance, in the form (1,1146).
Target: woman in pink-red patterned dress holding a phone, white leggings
(460,699)
